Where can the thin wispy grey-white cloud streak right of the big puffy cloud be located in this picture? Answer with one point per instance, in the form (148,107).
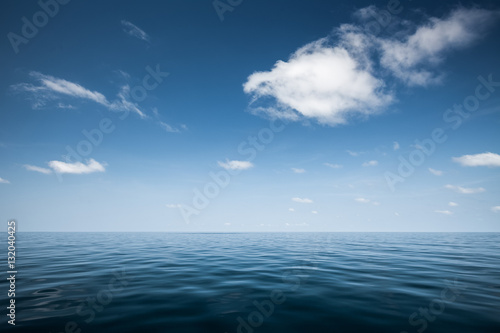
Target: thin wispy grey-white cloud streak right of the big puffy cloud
(410,58)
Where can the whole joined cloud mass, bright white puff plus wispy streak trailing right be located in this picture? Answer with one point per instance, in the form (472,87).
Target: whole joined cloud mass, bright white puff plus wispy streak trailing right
(347,73)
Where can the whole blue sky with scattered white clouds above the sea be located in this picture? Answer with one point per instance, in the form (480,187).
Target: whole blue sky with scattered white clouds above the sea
(250,116)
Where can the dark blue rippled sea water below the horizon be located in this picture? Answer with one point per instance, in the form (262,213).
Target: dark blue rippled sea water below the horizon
(256,282)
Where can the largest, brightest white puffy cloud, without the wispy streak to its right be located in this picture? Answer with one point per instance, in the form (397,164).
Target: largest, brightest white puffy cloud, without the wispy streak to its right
(320,81)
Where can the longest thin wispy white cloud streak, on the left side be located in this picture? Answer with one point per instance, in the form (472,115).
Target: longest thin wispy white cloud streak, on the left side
(51,88)
